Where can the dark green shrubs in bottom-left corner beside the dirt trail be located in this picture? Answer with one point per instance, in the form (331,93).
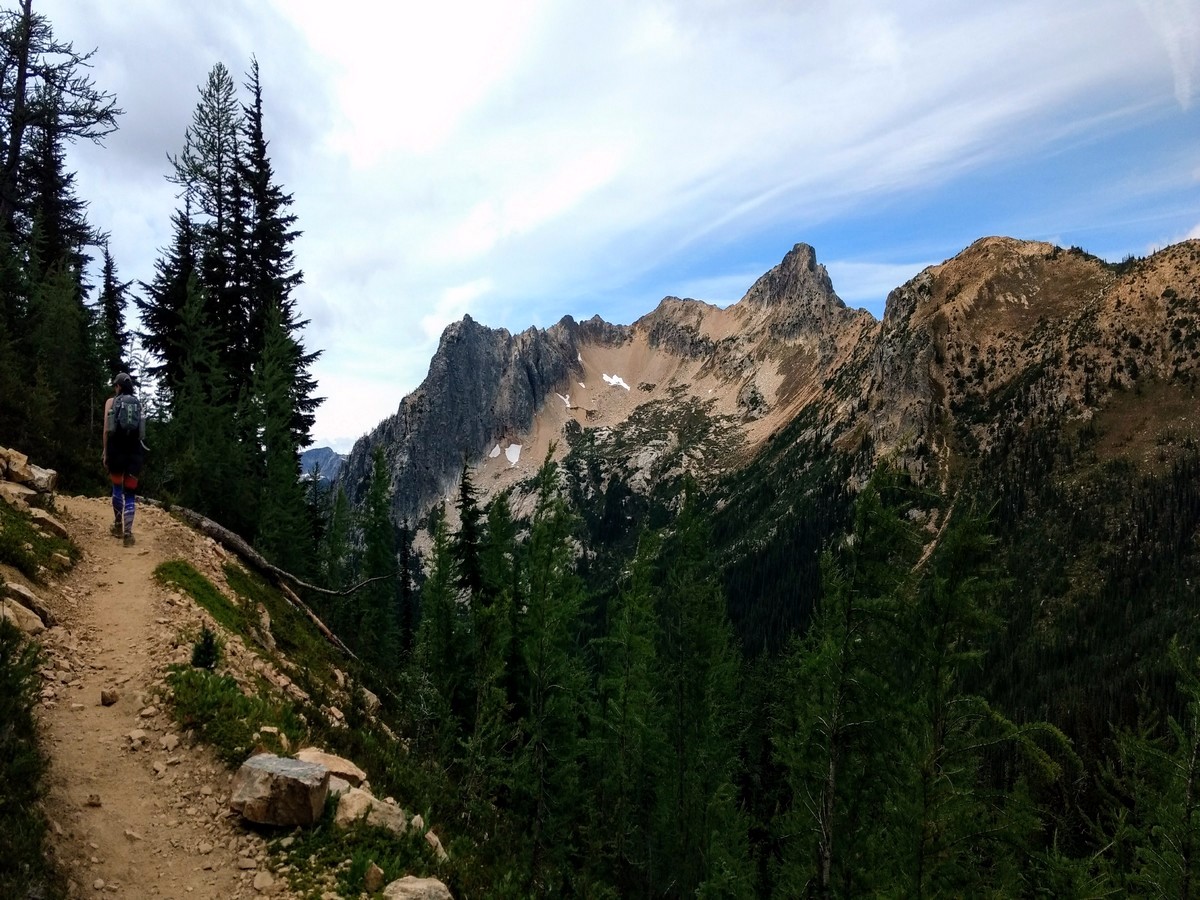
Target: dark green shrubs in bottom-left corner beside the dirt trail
(25,867)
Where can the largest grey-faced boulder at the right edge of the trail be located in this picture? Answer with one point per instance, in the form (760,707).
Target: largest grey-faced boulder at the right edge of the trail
(273,790)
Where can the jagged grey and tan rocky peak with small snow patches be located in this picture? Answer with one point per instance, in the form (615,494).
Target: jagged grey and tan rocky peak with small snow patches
(752,367)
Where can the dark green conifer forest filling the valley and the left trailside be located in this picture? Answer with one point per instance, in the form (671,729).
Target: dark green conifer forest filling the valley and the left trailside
(769,686)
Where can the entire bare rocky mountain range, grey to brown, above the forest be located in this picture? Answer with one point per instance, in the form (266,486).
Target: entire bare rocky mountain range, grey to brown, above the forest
(967,350)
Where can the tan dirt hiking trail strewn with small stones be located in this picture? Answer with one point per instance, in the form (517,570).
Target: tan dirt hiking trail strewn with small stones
(136,808)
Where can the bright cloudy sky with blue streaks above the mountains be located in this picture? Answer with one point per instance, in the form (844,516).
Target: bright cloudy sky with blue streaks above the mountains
(533,159)
